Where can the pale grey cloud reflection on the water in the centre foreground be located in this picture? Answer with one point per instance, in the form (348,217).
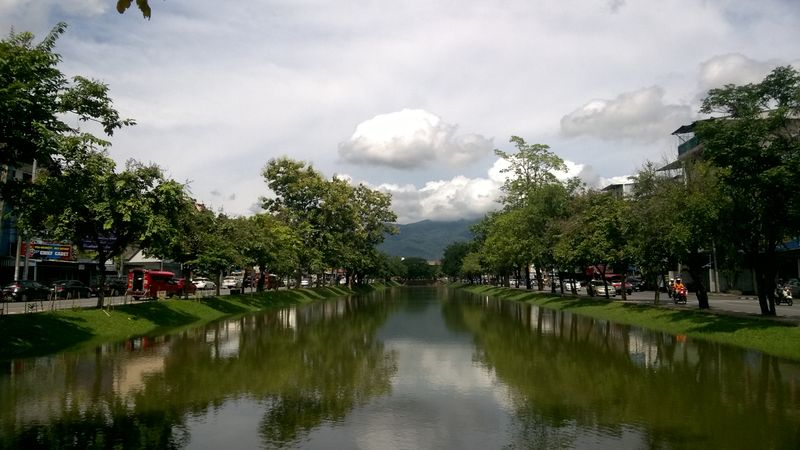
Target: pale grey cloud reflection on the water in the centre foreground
(440,396)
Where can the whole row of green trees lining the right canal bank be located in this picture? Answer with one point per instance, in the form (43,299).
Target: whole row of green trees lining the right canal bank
(740,198)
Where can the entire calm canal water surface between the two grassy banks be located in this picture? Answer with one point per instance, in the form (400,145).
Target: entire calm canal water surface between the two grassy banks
(404,368)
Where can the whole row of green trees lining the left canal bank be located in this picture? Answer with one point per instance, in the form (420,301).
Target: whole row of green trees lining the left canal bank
(78,195)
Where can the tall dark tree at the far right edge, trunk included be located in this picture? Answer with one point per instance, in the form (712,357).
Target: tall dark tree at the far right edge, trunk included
(756,148)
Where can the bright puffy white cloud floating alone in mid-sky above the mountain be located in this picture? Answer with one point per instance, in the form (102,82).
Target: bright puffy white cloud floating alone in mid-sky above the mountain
(409,139)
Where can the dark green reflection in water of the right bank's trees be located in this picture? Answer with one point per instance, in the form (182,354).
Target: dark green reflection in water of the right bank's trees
(571,373)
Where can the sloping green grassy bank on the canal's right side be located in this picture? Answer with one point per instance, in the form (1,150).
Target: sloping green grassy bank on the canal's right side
(767,335)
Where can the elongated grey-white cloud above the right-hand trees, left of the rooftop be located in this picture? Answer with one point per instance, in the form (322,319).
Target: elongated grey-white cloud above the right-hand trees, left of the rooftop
(640,115)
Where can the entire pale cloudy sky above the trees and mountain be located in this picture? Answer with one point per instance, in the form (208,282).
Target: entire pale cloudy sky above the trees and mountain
(408,97)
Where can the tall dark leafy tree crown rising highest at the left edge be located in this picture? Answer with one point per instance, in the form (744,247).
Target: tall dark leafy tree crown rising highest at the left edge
(36,99)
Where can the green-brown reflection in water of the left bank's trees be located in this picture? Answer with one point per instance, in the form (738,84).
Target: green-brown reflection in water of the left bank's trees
(305,366)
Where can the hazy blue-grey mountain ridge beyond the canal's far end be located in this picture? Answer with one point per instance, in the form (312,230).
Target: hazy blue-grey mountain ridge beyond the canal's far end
(426,239)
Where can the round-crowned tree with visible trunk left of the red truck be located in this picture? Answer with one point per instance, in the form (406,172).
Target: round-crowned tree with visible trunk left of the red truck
(91,205)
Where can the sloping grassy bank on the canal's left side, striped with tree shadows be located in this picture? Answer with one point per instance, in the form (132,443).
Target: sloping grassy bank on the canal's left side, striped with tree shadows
(26,335)
